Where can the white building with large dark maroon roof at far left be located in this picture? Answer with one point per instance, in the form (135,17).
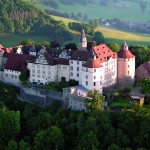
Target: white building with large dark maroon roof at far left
(12,65)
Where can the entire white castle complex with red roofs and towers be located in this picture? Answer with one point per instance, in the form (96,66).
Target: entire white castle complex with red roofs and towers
(93,69)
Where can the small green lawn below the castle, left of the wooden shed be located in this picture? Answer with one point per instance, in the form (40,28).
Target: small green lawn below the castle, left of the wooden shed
(120,102)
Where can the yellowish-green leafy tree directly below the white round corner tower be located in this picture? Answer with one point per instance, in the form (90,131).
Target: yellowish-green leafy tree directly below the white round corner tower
(96,102)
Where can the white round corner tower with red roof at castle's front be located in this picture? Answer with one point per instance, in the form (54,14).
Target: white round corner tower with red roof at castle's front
(92,73)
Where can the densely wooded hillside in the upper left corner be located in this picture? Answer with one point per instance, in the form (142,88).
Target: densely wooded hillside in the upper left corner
(23,18)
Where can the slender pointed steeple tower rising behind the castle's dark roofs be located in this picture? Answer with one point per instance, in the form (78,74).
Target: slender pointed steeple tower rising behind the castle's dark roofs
(82,41)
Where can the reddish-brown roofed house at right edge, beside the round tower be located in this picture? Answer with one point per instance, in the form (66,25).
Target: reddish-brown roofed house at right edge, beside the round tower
(143,71)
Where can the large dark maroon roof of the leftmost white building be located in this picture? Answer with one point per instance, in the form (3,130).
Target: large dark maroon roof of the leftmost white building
(17,62)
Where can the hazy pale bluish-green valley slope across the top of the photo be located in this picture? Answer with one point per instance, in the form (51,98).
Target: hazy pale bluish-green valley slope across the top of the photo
(127,10)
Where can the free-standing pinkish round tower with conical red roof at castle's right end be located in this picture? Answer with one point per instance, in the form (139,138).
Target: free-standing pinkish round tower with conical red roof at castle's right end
(126,67)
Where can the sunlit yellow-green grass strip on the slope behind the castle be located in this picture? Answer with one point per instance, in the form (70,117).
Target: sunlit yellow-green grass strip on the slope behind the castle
(115,35)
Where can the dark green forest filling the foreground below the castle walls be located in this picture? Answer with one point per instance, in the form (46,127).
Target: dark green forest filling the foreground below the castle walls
(24,126)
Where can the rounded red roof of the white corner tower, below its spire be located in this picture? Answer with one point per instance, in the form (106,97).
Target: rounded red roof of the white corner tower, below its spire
(93,64)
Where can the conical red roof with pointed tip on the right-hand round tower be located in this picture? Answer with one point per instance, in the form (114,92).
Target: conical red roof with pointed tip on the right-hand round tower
(124,52)
